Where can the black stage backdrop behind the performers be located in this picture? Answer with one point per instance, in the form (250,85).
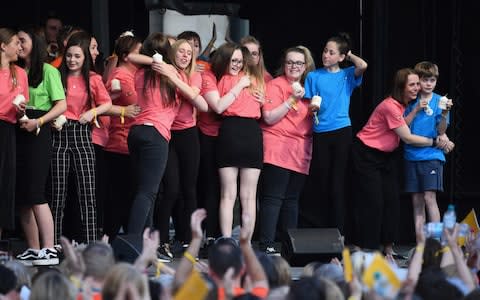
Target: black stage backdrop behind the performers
(388,34)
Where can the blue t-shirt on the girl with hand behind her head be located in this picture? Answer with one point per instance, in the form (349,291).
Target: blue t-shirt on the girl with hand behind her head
(335,90)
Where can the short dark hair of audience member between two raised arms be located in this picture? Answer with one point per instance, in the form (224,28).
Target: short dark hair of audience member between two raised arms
(224,254)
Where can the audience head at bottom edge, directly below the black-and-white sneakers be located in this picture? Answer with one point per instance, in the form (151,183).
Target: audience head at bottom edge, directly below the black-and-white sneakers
(52,284)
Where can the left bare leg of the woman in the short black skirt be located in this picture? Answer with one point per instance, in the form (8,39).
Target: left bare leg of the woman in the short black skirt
(228,194)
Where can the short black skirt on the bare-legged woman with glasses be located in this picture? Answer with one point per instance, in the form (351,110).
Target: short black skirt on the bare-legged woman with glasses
(240,143)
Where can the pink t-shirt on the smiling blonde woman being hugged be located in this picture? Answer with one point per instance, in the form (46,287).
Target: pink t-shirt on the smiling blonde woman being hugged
(187,114)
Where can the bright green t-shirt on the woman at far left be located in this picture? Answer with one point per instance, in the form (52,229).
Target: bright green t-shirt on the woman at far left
(48,91)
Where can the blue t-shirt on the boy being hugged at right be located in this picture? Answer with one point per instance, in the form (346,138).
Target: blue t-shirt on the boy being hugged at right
(426,126)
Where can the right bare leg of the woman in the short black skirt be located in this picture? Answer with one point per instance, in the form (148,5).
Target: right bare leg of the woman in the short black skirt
(248,194)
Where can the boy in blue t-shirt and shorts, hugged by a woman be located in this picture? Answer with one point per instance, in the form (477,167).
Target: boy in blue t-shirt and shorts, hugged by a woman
(424,165)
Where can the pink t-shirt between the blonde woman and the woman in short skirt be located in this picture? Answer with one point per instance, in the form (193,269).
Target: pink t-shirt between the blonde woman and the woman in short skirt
(208,122)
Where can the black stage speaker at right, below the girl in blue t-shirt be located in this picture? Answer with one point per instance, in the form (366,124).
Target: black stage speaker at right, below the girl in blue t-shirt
(305,245)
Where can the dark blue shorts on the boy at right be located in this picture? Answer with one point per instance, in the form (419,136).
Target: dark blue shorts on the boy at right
(421,176)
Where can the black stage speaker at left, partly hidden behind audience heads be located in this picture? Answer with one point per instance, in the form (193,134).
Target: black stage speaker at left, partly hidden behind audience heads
(127,247)
